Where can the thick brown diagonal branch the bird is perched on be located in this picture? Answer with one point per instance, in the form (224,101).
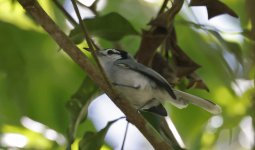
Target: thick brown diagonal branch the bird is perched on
(34,9)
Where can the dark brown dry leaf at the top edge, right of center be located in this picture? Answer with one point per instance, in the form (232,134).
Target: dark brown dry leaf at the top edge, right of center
(214,7)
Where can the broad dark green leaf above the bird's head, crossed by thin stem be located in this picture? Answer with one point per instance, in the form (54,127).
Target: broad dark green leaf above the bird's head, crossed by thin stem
(111,27)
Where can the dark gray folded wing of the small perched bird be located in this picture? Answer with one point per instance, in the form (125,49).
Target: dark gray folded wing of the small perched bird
(157,78)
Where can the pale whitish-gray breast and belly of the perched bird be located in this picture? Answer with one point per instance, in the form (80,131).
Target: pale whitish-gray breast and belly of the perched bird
(134,86)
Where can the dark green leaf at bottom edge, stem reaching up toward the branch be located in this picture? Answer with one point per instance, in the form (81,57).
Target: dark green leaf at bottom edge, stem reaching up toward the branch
(94,141)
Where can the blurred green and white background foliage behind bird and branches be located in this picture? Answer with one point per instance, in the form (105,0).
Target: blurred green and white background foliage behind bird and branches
(43,92)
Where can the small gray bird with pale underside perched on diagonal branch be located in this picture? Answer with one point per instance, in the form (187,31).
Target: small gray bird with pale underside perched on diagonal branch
(143,87)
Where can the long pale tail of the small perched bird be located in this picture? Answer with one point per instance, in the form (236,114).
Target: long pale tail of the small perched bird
(203,103)
